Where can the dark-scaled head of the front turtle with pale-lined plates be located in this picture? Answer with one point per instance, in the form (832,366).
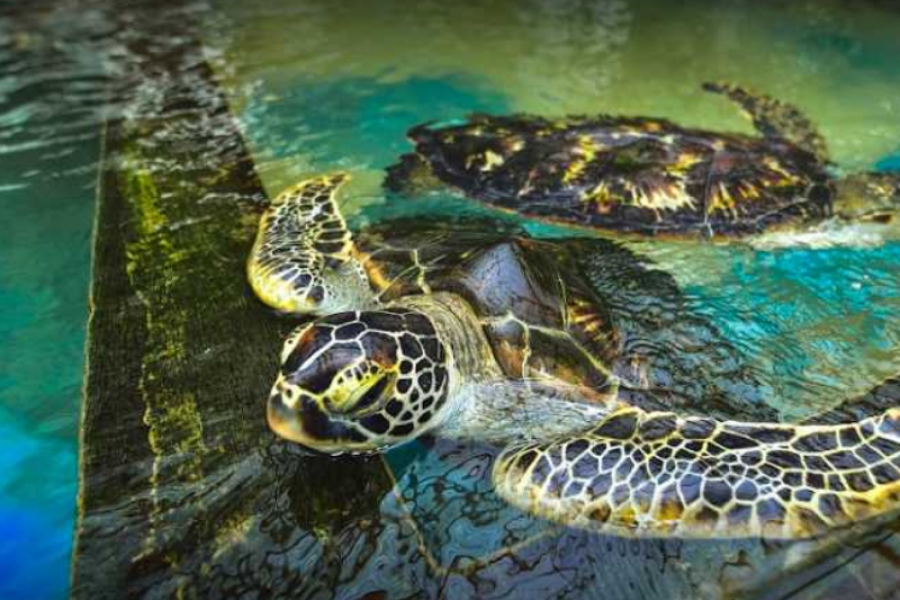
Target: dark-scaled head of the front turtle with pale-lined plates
(359,382)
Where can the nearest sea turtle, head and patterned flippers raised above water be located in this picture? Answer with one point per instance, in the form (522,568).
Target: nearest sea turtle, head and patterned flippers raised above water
(503,343)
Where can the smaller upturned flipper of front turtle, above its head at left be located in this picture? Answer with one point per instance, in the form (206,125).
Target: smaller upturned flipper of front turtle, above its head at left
(302,241)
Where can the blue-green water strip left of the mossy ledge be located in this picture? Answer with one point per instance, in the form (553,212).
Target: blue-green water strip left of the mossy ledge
(49,129)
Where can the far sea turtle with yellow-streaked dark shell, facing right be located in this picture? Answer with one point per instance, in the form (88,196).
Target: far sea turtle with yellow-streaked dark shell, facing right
(646,175)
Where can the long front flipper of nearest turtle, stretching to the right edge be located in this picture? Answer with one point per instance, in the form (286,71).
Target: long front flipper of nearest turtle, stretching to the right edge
(657,475)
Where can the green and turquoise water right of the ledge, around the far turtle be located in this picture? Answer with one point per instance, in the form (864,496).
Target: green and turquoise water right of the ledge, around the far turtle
(322,87)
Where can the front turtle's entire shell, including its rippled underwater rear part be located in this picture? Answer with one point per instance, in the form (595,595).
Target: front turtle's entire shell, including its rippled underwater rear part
(574,310)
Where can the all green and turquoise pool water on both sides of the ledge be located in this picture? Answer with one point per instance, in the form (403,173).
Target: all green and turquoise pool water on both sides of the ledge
(320,86)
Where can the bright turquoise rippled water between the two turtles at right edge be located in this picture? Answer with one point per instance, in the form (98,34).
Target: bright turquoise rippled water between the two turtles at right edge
(821,323)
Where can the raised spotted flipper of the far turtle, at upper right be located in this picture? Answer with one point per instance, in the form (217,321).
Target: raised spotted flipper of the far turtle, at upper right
(774,118)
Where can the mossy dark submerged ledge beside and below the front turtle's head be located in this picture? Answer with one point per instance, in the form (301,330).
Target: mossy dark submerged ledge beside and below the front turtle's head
(185,492)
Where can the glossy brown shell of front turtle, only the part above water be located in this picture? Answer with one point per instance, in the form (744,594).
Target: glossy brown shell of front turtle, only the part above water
(538,313)
